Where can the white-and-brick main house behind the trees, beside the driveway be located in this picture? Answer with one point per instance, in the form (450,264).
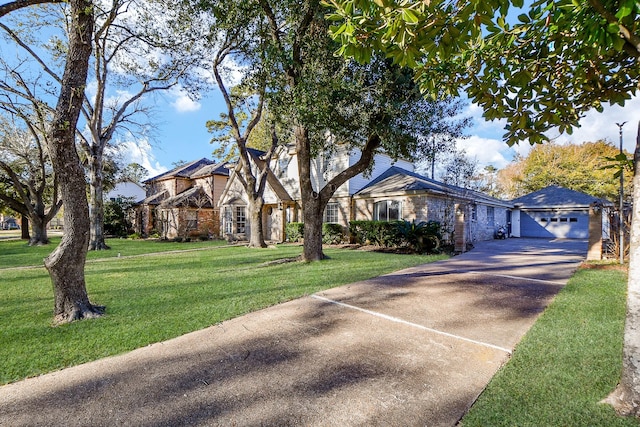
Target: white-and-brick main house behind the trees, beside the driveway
(390,190)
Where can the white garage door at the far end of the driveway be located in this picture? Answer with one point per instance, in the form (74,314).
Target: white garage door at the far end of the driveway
(568,224)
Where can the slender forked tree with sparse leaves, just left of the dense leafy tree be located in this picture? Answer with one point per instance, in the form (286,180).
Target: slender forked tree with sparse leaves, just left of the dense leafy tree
(239,38)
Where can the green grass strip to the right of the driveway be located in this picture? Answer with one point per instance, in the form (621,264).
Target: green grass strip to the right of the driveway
(566,364)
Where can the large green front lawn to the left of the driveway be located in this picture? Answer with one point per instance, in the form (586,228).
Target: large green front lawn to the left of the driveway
(158,297)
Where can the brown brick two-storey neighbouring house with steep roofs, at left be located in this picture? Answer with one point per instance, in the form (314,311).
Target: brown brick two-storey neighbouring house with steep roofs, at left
(183,201)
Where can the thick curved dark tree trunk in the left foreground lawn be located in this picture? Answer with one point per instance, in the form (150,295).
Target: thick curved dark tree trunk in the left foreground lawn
(66,263)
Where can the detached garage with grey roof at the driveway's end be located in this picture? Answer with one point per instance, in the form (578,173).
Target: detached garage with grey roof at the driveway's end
(554,212)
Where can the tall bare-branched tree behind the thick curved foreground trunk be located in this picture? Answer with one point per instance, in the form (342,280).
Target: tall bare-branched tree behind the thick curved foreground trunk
(134,54)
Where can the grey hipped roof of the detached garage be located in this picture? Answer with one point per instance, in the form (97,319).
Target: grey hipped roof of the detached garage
(555,196)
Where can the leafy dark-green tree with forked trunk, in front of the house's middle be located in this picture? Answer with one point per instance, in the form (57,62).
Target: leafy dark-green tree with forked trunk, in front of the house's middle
(332,104)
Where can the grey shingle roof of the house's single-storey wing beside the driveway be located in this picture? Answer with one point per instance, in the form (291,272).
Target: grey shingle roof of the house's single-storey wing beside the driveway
(396,180)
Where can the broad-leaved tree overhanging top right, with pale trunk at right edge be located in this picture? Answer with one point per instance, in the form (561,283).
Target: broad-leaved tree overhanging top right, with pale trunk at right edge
(561,59)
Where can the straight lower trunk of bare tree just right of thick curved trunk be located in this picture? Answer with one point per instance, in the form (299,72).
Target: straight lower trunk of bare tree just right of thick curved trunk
(96,204)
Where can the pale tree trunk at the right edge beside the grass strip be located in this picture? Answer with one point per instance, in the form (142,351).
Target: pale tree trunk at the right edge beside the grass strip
(626,397)
